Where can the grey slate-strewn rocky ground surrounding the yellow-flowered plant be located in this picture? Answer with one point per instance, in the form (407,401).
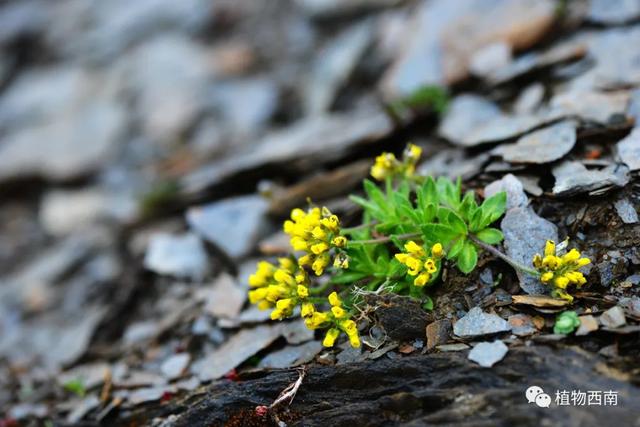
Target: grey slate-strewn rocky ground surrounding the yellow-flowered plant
(149,151)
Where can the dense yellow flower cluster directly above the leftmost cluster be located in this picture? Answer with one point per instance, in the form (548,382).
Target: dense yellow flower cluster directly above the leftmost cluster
(316,232)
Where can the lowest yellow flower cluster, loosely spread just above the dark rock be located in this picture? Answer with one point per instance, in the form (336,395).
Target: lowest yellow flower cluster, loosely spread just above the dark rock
(337,318)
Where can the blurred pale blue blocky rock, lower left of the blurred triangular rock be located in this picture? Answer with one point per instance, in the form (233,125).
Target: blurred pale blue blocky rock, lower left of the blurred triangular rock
(177,255)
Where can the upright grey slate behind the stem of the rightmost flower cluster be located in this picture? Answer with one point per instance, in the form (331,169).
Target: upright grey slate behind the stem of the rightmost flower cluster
(525,234)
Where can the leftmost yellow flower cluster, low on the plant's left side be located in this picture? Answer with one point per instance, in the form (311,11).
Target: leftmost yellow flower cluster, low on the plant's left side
(281,288)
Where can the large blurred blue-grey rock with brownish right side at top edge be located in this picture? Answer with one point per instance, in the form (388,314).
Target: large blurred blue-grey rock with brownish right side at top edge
(444,36)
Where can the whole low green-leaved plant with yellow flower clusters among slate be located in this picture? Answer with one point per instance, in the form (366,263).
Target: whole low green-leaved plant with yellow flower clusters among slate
(410,229)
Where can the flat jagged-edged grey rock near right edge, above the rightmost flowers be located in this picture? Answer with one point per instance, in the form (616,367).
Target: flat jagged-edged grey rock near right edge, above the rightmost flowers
(572,177)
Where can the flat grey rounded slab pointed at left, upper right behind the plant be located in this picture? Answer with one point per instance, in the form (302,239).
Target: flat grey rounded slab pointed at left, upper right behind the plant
(542,146)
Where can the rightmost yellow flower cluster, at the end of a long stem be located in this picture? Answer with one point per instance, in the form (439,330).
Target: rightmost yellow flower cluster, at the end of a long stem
(560,271)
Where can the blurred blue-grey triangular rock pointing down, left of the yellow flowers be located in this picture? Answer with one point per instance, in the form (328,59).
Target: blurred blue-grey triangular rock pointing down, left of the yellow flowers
(234,225)
